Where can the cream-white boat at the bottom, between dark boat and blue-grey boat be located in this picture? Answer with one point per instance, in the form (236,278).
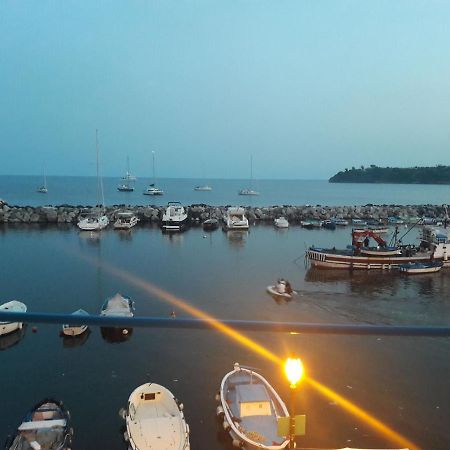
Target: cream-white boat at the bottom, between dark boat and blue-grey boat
(155,420)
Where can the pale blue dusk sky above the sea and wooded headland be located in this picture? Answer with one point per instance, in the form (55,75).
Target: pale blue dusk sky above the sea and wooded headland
(304,87)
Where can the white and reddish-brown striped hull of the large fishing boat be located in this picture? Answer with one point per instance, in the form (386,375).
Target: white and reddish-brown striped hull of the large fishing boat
(326,260)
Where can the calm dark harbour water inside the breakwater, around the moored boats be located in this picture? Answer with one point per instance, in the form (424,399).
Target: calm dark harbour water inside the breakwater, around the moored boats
(403,381)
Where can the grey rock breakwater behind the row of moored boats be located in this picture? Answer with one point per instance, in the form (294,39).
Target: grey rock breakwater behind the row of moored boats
(198,213)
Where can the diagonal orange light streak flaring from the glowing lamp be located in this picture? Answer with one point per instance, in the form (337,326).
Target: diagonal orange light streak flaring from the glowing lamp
(261,350)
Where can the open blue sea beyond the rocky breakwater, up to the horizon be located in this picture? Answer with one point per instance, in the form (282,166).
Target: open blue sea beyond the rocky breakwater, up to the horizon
(82,191)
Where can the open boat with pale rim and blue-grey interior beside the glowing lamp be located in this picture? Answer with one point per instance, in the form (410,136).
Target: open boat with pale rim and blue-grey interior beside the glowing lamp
(250,408)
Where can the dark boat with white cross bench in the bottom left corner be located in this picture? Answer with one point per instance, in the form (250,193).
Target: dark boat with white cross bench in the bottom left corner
(46,427)
